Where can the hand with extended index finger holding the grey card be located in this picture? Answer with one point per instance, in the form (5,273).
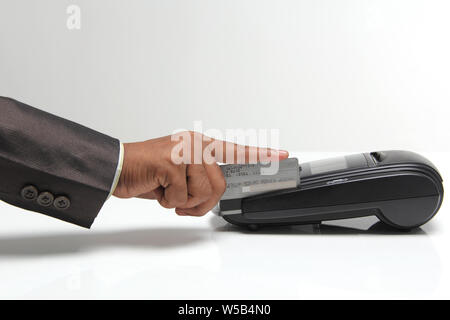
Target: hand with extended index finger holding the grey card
(192,188)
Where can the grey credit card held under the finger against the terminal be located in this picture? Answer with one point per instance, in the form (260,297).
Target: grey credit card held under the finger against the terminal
(245,180)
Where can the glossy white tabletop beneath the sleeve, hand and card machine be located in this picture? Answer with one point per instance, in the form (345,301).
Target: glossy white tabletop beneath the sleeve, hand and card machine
(138,250)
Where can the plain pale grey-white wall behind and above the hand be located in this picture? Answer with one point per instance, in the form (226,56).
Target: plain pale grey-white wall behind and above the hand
(331,75)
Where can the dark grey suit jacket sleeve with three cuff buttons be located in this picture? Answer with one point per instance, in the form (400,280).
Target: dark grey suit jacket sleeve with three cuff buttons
(54,166)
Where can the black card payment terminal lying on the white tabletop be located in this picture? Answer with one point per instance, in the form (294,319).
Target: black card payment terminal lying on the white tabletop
(401,188)
